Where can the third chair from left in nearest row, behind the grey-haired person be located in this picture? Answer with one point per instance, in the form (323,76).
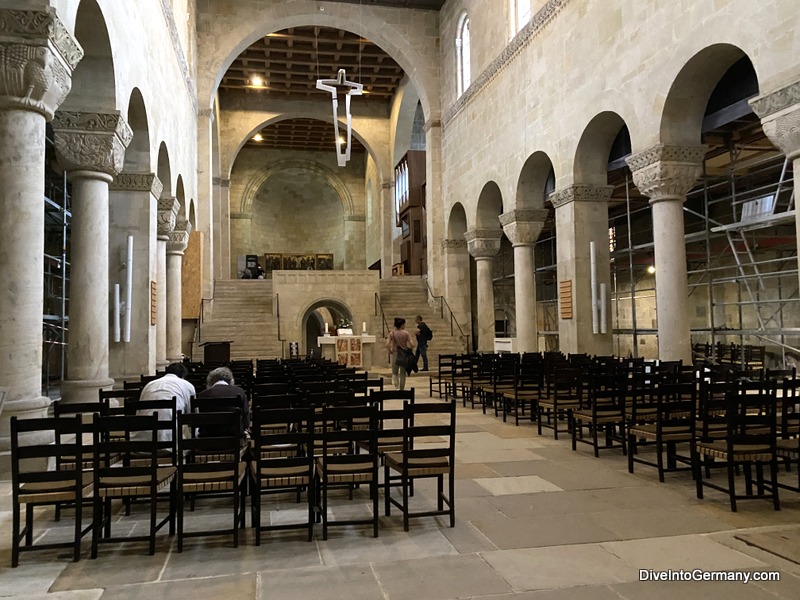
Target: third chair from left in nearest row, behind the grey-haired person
(209,464)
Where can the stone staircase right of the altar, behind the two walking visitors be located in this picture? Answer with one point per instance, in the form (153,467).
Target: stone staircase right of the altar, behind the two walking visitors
(407,297)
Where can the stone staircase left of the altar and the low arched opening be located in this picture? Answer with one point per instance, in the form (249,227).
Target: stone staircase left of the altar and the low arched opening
(242,313)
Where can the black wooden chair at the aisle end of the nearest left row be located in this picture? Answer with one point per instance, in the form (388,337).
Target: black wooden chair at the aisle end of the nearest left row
(425,427)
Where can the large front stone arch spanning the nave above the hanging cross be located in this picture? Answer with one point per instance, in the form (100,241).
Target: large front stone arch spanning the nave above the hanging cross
(244,27)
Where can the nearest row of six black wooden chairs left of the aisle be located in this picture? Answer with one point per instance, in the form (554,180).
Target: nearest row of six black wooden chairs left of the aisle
(301,448)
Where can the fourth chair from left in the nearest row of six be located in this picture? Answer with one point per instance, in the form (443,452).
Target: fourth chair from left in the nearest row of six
(283,460)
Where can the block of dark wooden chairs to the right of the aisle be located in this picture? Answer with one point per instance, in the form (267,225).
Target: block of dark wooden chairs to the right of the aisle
(742,419)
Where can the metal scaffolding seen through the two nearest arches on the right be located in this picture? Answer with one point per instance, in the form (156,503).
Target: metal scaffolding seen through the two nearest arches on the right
(741,249)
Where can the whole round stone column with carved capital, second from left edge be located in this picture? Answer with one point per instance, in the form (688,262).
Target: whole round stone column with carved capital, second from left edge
(91,148)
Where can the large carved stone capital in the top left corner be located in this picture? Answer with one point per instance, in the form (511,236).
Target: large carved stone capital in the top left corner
(37,57)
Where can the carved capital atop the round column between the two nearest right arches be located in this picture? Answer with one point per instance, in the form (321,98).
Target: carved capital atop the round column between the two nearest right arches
(667,172)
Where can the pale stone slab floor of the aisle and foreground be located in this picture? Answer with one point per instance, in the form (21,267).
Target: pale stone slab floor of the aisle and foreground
(535,521)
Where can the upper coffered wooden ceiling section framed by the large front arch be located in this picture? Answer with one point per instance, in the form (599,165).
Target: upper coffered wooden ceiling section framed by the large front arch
(286,65)
